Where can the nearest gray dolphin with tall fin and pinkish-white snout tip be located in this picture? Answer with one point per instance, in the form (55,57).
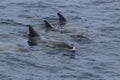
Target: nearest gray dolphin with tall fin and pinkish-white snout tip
(34,39)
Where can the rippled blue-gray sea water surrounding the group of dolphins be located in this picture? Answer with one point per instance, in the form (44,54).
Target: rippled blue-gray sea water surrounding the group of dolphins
(98,59)
